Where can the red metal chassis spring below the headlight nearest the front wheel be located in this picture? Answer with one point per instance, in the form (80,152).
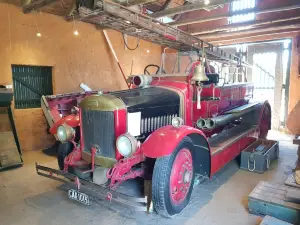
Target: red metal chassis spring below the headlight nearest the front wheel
(122,170)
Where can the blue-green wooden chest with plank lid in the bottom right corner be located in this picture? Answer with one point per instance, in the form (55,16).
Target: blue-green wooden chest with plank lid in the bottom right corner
(270,199)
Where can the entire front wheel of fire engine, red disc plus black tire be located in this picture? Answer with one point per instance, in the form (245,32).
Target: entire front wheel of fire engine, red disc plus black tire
(172,181)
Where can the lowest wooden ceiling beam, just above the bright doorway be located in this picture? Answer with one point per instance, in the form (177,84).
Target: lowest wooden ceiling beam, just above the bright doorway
(222,35)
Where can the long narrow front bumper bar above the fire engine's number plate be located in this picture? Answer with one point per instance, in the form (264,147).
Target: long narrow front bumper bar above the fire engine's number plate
(94,190)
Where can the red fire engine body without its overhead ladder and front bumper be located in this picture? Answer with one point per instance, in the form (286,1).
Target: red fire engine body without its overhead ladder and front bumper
(166,129)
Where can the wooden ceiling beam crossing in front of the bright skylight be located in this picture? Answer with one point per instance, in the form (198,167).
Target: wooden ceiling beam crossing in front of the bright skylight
(226,16)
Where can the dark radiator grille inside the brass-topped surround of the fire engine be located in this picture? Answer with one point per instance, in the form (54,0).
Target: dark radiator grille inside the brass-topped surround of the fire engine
(98,130)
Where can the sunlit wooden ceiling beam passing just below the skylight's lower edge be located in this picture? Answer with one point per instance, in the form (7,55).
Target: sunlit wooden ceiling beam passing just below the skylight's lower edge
(240,26)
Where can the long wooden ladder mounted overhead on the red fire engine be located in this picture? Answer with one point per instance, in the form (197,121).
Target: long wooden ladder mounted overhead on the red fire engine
(127,21)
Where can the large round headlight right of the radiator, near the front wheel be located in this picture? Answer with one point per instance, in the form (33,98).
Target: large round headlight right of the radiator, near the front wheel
(126,145)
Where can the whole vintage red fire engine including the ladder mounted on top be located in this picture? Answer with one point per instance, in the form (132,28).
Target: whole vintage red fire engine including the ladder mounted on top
(166,128)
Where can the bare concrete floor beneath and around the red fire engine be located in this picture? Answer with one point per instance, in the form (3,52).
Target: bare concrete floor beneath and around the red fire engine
(27,198)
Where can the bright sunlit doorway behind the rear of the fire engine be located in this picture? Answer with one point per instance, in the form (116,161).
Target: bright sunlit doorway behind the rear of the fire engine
(270,74)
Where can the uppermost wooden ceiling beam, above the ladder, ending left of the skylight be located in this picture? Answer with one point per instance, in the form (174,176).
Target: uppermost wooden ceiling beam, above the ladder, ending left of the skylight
(189,8)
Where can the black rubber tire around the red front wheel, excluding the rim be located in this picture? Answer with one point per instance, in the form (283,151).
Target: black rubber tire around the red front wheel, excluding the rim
(161,182)
